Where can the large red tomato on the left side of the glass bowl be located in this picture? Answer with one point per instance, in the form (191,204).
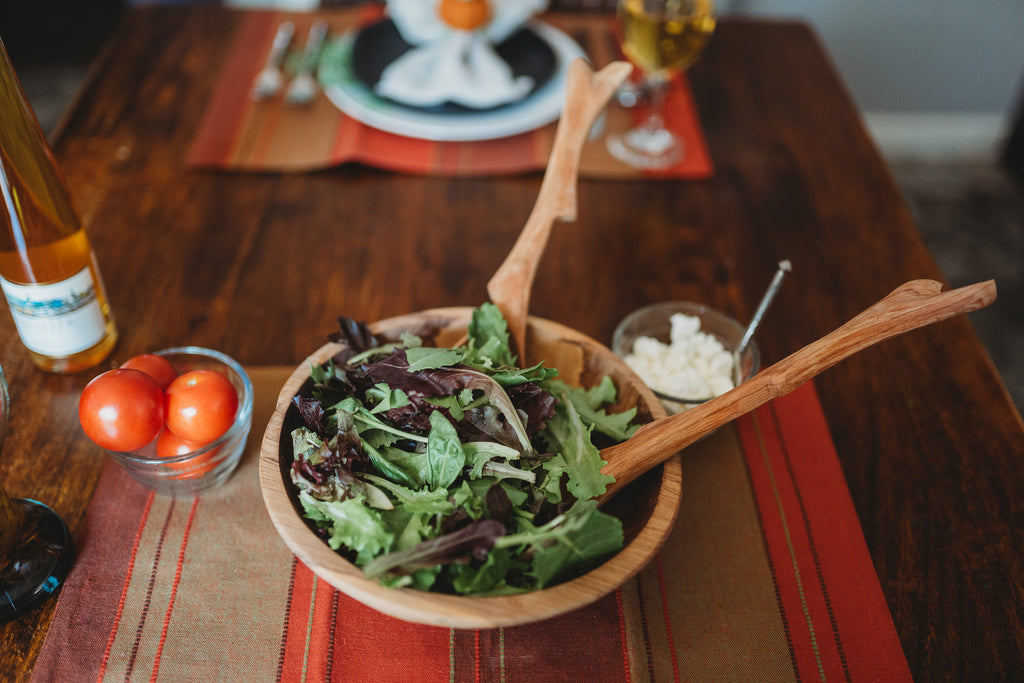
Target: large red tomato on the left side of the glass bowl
(122,410)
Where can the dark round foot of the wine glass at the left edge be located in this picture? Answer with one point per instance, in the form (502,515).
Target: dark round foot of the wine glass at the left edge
(37,566)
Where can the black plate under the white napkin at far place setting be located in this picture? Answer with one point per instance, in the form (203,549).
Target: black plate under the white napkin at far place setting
(379,45)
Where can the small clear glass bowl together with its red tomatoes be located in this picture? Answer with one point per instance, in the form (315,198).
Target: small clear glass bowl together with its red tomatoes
(176,420)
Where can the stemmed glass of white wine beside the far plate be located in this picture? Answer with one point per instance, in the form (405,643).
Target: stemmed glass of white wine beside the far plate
(662,38)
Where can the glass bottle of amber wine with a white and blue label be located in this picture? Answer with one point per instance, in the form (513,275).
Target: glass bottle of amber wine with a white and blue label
(49,273)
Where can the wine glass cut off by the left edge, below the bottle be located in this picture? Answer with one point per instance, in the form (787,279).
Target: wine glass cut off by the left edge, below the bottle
(35,546)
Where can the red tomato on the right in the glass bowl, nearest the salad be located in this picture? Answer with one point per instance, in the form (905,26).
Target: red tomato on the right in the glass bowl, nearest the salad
(201,406)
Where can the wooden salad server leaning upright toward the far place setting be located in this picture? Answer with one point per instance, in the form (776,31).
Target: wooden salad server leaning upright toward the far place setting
(587,94)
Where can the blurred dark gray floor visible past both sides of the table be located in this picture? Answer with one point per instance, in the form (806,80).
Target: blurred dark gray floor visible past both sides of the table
(971,216)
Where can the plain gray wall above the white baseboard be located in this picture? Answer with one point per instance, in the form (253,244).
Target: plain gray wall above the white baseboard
(947,57)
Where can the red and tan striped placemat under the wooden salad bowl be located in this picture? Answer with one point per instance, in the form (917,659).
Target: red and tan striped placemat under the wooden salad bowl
(765,578)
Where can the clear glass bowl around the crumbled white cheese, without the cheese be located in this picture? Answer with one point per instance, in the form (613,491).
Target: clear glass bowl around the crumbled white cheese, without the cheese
(655,321)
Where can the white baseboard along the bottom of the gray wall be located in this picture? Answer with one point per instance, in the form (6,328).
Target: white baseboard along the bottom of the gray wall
(935,137)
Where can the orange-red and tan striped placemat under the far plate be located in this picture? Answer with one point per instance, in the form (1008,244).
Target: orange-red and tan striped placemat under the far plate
(236,134)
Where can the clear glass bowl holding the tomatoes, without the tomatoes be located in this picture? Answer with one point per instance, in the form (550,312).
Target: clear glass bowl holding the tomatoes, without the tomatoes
(214,464)
